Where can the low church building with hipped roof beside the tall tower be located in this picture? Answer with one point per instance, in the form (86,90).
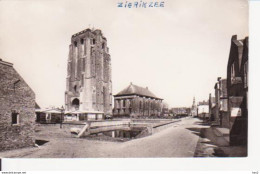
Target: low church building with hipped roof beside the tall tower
(136,101)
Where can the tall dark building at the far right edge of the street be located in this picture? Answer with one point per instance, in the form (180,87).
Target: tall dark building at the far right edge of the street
(237,90)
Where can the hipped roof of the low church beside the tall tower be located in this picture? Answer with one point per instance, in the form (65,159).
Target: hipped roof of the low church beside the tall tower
(136,90)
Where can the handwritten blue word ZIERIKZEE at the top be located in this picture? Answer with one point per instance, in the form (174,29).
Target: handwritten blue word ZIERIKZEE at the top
(141,4)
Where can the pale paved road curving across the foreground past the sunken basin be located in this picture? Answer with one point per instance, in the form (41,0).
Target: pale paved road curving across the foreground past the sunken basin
(175,141)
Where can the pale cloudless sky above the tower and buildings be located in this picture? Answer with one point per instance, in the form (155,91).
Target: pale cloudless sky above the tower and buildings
(177,51)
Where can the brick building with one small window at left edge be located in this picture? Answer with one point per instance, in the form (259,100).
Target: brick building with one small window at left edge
(17,109)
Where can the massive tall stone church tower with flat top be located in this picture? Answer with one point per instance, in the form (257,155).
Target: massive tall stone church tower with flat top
(89,85)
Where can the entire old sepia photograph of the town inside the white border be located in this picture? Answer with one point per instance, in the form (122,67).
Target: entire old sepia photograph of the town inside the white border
(124,79)
